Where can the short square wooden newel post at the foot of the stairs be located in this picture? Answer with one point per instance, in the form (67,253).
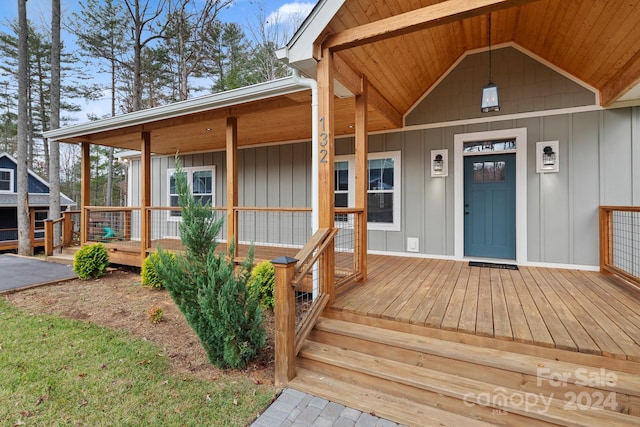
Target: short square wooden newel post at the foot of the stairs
(285,322)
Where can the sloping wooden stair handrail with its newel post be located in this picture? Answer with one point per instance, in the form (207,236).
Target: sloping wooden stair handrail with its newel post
(289,273)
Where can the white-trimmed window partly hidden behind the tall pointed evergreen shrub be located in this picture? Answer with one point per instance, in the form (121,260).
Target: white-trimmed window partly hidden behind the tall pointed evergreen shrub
(201,182)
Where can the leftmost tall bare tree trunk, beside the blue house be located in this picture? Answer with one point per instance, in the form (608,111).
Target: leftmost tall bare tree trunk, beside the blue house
(24,238)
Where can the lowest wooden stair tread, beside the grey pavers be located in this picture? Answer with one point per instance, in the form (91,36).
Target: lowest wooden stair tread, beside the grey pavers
(387,406)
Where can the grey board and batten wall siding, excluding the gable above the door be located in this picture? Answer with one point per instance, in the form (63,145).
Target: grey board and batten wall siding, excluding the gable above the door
(599,165)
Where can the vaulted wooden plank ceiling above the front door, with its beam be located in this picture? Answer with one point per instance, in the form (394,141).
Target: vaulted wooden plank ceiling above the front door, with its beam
(595,41)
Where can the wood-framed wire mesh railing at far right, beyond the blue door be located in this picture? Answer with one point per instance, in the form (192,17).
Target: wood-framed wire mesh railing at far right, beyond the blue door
(620,242)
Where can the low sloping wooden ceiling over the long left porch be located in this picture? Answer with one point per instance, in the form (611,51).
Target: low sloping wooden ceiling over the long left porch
(277,119)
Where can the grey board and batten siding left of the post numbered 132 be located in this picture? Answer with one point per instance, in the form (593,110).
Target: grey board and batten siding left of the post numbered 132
(273,176)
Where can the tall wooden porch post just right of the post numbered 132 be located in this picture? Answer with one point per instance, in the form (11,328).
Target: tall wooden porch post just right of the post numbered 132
(362,181)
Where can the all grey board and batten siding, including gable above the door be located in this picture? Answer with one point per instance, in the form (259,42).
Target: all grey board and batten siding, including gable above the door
(599,154)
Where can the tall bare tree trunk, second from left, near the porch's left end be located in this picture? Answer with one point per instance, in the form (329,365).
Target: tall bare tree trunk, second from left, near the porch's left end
(54,146)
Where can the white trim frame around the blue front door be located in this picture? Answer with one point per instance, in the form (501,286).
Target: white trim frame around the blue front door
(520,135)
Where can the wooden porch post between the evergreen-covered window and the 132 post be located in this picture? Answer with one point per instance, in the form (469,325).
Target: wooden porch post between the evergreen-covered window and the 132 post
(232,181)
